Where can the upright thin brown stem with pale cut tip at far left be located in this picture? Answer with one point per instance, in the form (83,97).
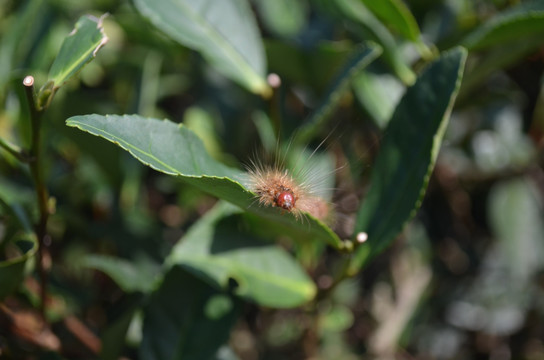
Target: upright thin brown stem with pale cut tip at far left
(41,190)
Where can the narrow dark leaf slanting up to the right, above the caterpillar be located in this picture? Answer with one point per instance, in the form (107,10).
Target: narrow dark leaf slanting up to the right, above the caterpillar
(360,58)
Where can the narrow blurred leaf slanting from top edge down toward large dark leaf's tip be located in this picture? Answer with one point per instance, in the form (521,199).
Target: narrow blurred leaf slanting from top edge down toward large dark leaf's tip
(357,11)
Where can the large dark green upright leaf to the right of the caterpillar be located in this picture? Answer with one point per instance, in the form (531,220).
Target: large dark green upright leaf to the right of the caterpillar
(407,155)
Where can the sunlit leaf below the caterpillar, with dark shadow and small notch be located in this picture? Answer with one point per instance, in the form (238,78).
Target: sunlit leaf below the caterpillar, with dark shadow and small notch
(220,247)
